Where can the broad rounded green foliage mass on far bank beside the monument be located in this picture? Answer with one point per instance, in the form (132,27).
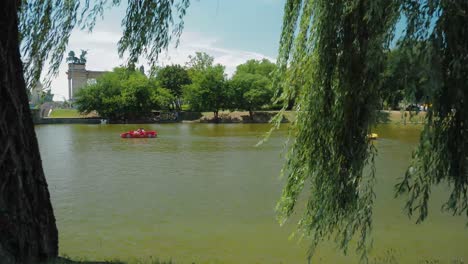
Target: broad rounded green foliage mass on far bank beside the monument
(122,93)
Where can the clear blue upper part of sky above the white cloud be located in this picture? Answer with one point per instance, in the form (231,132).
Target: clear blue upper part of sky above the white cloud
(252,25)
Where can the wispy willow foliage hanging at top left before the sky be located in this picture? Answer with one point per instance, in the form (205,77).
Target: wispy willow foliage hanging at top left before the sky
(45,28)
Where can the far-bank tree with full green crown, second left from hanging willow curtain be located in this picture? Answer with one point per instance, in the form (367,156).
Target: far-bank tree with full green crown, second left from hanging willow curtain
(208,91)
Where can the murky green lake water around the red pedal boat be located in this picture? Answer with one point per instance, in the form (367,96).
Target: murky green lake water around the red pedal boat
(203,193)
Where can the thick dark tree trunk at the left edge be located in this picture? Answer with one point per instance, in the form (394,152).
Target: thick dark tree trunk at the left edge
(28,233)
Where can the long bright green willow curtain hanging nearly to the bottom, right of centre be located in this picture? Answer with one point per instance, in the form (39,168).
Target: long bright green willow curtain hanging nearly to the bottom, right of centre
(331,58)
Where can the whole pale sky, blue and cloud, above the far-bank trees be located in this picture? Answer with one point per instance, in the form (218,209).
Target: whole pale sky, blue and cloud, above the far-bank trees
(232,31)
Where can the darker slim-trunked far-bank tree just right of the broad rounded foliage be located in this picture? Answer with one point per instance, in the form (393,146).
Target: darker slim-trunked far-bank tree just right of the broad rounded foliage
(173,78)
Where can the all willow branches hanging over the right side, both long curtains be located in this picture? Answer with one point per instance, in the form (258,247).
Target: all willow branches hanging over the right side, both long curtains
(331,58)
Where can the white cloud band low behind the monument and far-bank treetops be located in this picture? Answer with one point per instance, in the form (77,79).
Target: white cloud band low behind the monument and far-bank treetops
(102,54)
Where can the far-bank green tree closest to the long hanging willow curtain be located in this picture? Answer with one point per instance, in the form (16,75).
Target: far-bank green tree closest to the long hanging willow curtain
(250,87)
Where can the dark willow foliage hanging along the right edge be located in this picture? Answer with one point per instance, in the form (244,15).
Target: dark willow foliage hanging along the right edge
(442,154)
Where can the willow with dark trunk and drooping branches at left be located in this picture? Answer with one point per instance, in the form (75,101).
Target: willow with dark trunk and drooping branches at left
(41,29)
